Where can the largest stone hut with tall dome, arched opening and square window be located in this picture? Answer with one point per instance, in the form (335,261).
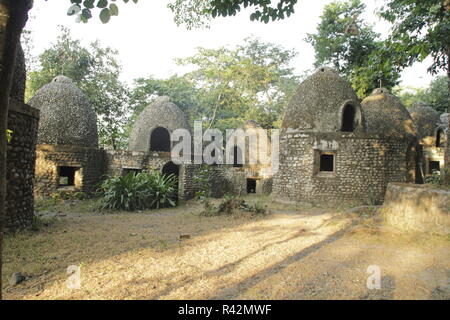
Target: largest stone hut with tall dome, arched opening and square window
(326,153)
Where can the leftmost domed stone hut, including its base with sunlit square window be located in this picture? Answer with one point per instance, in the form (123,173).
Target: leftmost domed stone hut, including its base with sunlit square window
(68,158)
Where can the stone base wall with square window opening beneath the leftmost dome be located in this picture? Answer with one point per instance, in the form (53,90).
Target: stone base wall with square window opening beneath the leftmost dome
(90,161)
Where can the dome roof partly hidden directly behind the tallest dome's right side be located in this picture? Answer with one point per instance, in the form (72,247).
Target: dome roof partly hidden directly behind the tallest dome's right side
(386,115)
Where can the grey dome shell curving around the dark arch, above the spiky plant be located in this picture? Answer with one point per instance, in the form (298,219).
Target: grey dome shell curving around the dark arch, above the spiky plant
(161,113)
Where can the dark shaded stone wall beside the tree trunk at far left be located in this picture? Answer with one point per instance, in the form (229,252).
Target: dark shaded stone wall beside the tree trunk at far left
(23,121)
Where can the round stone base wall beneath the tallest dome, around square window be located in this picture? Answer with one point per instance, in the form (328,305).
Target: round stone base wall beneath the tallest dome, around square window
(363,167)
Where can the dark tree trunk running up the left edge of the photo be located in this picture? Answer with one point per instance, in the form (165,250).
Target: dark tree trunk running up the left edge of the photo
(13,16)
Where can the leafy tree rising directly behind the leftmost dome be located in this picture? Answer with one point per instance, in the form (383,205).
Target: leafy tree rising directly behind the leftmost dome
(96,71)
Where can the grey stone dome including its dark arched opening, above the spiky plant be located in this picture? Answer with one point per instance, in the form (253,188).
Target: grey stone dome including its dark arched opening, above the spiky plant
(152,129)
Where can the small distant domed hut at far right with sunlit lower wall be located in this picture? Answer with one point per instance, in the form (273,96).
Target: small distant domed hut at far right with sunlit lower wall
(432,136)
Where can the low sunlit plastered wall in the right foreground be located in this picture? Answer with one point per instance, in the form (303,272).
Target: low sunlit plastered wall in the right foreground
(410,207)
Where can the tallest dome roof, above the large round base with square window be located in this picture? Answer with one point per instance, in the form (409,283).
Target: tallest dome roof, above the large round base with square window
(318,103)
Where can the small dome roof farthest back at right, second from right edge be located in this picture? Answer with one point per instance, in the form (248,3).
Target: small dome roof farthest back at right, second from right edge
(425,118)
